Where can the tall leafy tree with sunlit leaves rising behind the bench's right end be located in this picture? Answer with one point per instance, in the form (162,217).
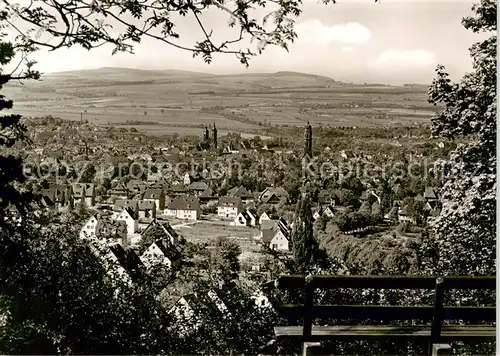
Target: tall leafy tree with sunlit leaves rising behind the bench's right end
(464,239)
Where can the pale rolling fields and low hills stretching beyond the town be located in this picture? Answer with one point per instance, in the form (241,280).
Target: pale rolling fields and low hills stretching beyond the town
(183,102)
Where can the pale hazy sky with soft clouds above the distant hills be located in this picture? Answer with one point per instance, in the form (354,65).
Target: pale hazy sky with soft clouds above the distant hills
(361,41)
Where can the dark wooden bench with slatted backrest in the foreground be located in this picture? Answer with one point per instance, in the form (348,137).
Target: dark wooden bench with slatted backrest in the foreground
(435,333)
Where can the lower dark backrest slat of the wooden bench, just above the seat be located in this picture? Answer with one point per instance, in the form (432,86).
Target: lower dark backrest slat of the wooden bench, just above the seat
(387,313)
